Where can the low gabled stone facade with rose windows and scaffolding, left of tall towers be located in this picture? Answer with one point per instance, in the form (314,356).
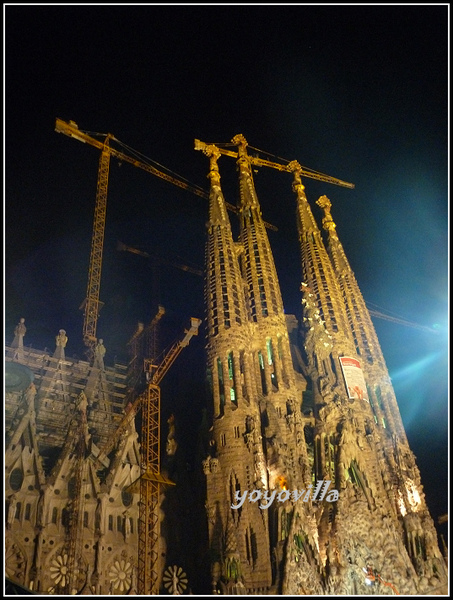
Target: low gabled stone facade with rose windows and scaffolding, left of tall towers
(71,523)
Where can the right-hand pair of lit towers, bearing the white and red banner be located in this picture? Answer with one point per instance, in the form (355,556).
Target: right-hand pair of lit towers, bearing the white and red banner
(381,519)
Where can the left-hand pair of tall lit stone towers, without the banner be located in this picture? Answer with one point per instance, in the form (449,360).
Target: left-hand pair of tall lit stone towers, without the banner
(257,434)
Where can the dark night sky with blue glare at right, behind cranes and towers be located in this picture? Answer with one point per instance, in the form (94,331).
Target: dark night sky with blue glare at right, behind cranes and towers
(359,93)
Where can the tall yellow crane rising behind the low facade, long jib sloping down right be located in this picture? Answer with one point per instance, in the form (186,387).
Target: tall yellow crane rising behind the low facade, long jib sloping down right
(92,305)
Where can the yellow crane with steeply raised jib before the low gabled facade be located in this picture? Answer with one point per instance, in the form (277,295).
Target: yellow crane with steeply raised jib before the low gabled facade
(151,478)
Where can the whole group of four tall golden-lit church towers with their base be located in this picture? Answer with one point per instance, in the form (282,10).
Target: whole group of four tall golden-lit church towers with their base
(280,426)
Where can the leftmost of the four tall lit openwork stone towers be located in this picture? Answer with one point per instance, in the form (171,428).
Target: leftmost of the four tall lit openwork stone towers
(234,398)
